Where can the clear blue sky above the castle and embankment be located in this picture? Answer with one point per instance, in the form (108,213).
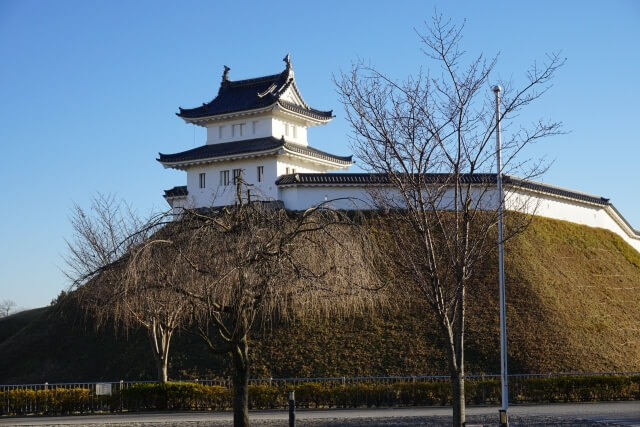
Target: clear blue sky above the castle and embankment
(88,92)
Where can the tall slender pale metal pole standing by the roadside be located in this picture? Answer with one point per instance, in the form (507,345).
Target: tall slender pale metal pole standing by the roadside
(503,312)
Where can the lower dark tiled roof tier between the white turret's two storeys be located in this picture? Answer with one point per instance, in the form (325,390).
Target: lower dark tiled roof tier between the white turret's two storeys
(257,145)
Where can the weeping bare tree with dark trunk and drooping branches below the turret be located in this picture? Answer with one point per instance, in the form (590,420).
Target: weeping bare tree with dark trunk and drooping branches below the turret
(256,262)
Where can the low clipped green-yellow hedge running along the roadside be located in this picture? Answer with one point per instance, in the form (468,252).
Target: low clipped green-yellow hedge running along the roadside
(190,396)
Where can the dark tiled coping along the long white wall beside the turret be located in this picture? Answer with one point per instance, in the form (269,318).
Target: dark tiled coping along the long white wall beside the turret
(383,179)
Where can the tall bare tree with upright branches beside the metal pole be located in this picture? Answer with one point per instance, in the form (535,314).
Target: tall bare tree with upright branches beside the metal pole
(430,139)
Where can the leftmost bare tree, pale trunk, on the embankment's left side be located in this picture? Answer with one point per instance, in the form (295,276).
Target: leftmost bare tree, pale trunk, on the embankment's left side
(124,277)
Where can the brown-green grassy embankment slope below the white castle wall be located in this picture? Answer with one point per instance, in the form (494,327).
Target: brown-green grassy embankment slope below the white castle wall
(573,296)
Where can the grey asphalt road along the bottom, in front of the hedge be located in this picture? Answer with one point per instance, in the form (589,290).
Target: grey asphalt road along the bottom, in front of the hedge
(572,414)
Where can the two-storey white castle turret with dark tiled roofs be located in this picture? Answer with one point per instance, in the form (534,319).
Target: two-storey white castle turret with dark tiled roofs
(255,127)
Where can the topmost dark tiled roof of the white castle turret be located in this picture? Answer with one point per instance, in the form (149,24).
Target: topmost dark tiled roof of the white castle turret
(252,94)
